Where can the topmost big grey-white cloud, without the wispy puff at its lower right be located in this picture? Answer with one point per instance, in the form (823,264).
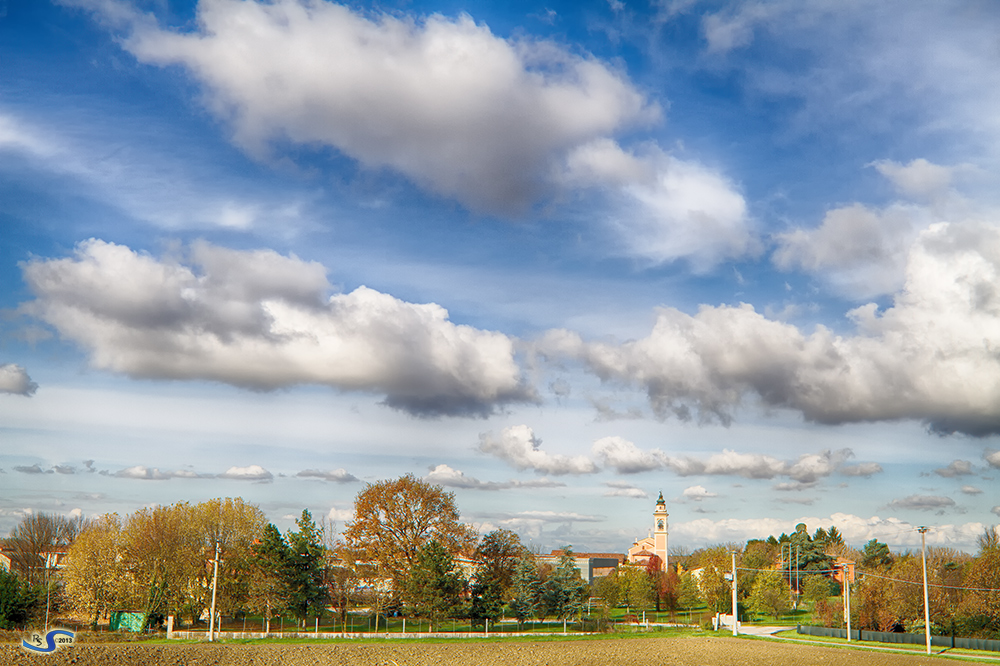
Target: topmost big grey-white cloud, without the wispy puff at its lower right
(444,101)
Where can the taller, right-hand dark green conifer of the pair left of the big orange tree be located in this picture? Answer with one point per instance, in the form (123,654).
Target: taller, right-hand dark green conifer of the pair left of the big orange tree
(307,596)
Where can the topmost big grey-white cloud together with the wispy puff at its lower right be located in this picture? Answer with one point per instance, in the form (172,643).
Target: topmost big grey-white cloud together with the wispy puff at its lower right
(497,124)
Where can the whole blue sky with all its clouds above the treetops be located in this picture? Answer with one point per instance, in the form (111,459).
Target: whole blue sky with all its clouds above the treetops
(554,257)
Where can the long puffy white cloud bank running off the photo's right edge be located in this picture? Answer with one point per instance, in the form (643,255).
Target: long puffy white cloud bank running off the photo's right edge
(930,356)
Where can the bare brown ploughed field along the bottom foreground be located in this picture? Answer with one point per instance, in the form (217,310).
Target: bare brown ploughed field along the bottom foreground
(656,651)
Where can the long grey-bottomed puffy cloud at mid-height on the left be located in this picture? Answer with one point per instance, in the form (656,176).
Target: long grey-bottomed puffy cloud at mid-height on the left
(261,320)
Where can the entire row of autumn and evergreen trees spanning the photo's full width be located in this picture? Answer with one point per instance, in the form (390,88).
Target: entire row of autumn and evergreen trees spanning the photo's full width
(407,552)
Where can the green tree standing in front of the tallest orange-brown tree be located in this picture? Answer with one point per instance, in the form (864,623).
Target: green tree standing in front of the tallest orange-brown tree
(434,587)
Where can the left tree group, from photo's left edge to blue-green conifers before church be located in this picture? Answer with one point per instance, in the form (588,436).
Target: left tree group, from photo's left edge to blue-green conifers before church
(406,551)
